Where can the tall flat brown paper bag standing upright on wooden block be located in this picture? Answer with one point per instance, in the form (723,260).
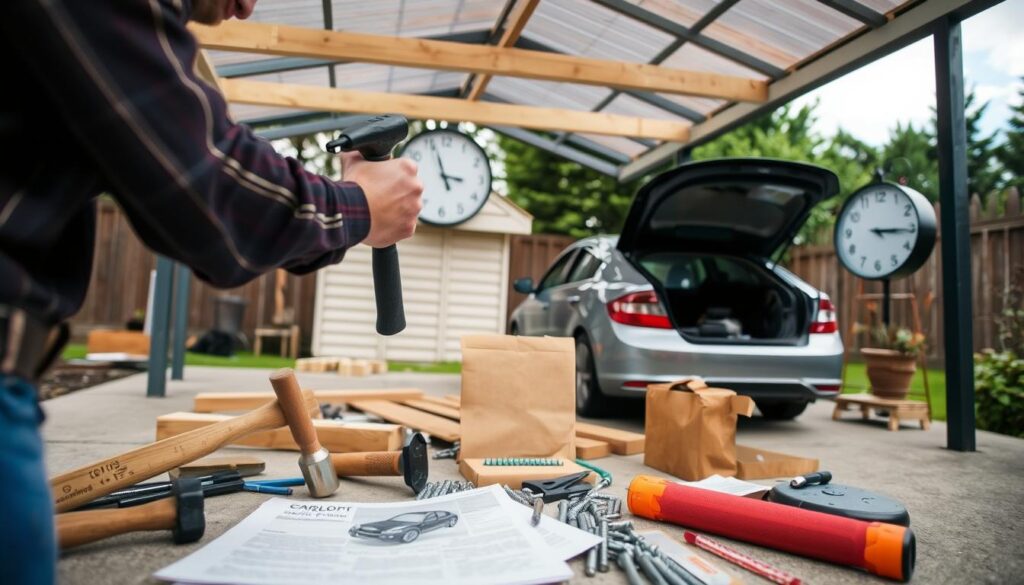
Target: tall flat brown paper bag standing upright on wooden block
(519,397)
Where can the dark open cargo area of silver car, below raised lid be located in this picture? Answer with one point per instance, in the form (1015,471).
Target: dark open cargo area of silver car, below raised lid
(728,300)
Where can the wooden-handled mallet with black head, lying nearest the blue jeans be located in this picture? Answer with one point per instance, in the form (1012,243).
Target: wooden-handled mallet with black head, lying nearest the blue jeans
(183,515)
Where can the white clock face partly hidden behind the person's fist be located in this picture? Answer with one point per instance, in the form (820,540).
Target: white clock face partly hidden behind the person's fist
(456,176)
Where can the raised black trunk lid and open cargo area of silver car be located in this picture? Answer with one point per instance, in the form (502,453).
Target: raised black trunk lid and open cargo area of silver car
(703,235)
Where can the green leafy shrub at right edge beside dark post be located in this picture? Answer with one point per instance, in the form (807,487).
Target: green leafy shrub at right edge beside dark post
(999,387)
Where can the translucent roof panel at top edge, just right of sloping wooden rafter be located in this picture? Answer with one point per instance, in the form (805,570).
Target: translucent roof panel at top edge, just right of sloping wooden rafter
(582,28)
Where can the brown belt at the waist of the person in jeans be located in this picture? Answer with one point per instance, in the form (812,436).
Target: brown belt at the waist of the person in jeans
(28,347)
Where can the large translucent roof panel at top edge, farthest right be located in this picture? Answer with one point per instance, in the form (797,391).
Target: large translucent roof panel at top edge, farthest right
(781,33)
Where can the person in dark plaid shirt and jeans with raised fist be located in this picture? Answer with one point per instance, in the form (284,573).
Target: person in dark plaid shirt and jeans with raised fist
(102,98)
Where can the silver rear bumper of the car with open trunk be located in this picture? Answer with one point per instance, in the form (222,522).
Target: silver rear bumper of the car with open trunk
(632,358)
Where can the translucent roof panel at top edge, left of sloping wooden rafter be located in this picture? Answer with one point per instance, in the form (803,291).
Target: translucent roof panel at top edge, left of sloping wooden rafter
(415,18)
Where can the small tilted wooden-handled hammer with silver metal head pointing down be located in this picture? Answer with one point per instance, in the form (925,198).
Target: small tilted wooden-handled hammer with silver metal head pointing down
(315,462)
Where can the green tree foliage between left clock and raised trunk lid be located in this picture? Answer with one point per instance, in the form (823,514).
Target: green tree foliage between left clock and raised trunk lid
(564,197)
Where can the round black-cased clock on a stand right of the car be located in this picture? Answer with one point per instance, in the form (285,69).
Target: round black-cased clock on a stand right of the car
(884,231)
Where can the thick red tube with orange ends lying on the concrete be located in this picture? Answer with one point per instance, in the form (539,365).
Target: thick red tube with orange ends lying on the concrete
(884,550)
